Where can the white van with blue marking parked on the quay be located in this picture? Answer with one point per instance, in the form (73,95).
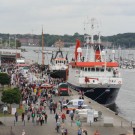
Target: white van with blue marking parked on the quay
(74,104)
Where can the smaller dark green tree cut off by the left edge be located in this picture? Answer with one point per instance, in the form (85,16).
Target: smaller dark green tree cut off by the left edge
(4,79)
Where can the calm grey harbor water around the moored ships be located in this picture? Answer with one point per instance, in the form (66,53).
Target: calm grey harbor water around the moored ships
(125,102)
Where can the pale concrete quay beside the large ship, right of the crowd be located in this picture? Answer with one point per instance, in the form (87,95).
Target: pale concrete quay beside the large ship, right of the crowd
(120,126)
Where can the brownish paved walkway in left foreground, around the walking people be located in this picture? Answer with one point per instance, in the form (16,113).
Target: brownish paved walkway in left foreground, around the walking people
(33,129)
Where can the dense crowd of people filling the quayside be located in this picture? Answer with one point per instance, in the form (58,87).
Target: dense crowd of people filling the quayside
(37,100)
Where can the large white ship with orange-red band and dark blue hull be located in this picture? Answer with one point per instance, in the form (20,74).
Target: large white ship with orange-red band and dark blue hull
(91,73)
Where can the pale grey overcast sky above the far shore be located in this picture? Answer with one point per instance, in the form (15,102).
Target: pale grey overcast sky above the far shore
(66,16)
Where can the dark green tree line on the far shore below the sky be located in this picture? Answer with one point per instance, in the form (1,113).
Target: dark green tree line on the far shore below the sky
(125,40)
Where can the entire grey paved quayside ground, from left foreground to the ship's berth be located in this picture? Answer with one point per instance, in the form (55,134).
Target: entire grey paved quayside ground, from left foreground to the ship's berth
(120,125)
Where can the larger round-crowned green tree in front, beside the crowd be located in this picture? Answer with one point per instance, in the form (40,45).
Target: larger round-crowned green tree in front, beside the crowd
(11,96)
